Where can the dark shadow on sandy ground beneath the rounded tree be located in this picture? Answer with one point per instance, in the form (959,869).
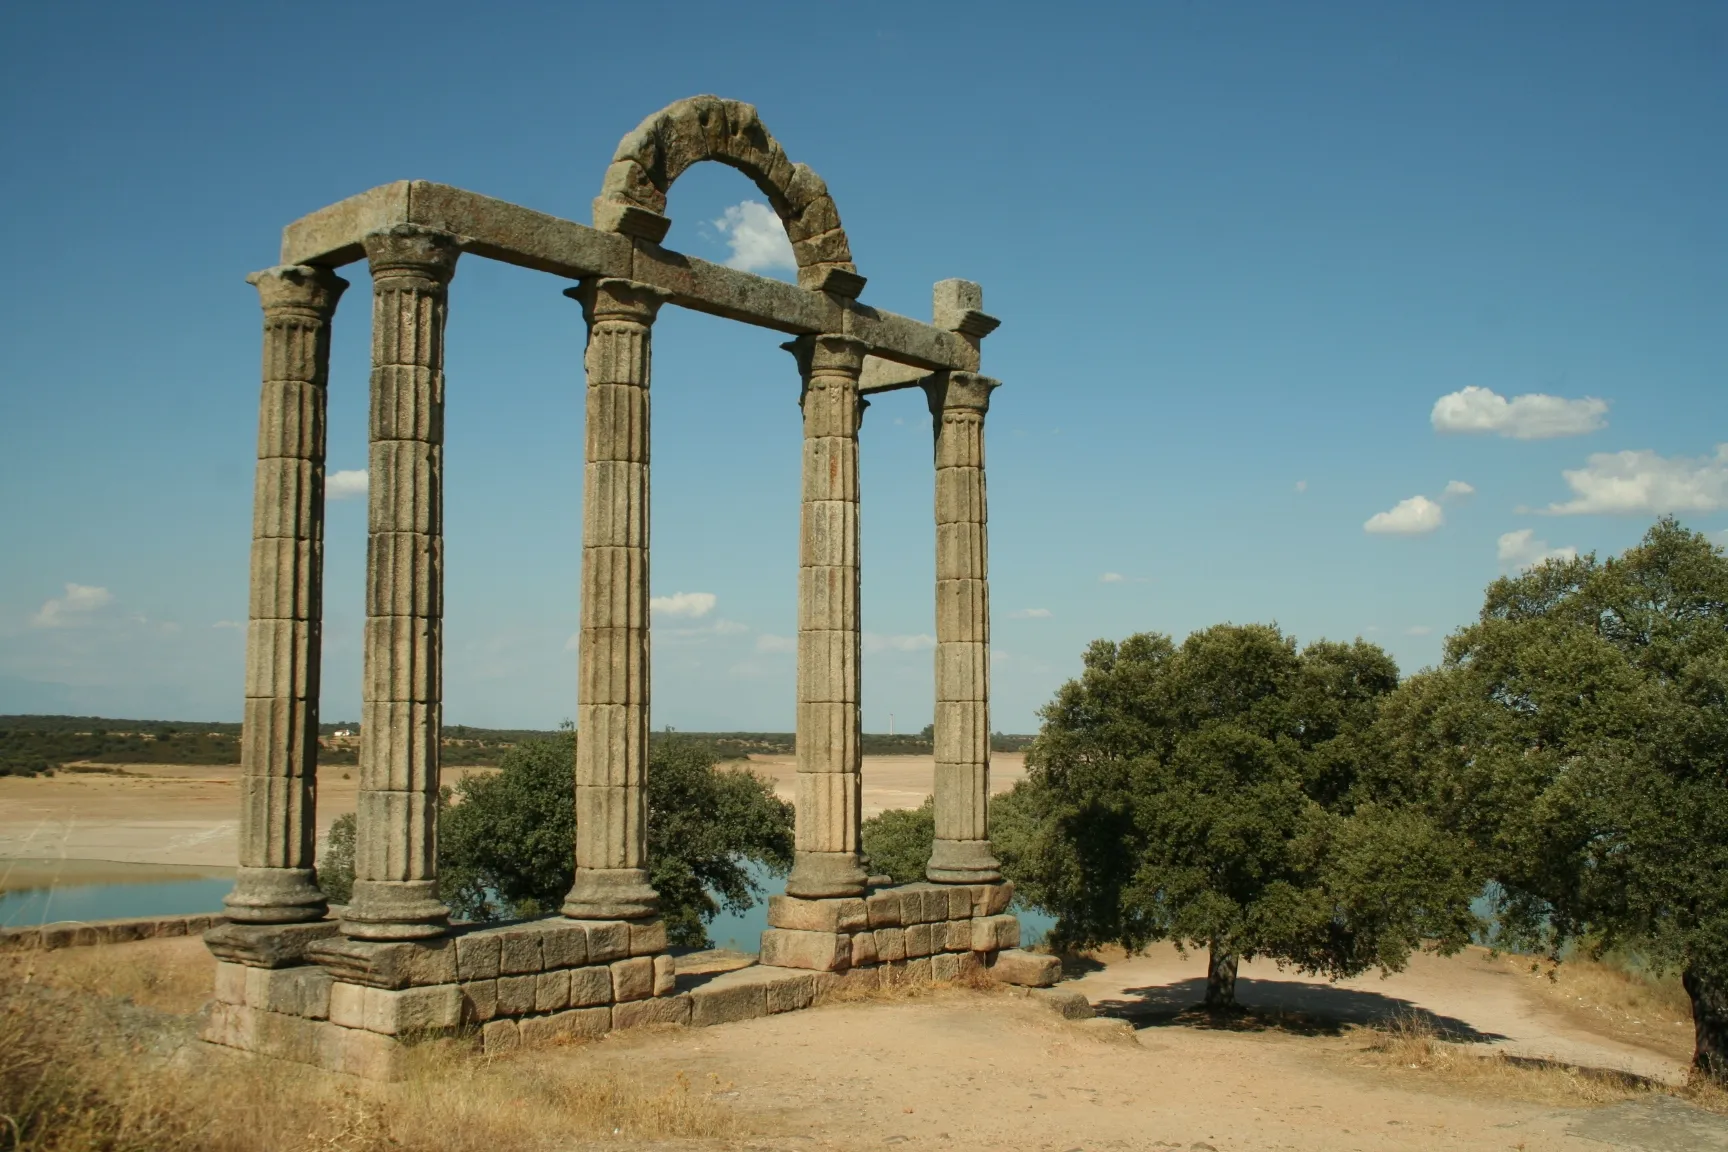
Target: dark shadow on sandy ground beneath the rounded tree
(1299,1008)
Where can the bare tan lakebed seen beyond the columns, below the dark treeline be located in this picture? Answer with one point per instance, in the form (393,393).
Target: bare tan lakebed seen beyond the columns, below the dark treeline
(189,816)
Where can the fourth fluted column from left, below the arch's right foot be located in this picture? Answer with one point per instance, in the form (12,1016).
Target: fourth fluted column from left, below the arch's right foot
(829,740)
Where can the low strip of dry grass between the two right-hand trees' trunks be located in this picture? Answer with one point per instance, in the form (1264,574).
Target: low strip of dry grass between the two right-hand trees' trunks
(1411,1044)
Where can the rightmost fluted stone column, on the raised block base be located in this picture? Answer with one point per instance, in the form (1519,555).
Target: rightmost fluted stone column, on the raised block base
(962,854)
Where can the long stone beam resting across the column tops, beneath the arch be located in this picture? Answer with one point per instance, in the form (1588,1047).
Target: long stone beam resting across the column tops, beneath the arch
(518,236)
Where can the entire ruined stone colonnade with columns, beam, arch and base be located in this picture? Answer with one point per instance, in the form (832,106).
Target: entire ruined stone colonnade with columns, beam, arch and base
(348,992)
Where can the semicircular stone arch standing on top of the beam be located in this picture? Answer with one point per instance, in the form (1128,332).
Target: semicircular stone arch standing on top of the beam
(709,129)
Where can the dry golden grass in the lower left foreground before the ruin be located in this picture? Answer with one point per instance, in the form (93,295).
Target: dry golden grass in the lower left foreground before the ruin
(86,1073)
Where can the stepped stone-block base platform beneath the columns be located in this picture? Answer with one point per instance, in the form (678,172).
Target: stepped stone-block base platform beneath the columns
(359,1006)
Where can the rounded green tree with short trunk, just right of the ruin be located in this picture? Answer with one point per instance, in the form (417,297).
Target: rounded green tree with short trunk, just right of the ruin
(1224,795)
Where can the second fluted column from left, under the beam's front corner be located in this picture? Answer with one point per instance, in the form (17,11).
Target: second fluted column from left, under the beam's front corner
(402,680)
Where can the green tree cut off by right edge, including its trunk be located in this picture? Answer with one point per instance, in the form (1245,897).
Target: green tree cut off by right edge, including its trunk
(1579,737)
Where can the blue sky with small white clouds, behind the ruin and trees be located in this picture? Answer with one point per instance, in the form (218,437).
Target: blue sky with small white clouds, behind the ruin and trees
(1266,274)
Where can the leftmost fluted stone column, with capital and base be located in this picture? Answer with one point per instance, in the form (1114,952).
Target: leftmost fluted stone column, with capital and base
(279,752)
